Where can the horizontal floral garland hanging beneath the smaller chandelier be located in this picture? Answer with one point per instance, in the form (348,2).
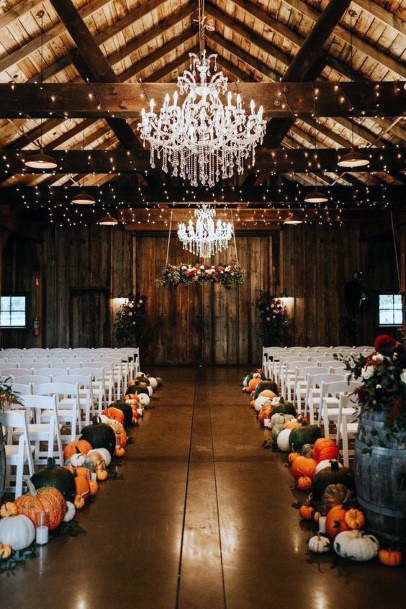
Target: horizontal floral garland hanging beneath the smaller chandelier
(229,276)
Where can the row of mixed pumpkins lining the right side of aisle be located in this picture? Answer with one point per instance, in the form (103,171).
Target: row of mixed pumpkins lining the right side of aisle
(315,466)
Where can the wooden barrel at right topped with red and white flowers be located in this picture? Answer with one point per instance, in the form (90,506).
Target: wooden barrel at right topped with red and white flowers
(380,447)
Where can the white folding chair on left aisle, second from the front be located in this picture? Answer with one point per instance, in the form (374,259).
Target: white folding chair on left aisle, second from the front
(43,432)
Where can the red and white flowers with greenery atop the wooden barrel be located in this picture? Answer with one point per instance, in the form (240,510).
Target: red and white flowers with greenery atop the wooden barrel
(383,376)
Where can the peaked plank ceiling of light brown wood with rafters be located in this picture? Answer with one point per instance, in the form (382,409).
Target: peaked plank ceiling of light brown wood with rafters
(150,41)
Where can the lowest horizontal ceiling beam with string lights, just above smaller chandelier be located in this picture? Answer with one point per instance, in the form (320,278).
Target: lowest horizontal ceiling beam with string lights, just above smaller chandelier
(287,193)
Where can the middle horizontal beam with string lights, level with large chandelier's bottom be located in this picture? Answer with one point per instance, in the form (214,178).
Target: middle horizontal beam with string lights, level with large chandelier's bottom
(280,160)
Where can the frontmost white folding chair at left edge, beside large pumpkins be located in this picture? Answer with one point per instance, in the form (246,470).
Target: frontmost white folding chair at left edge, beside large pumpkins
(19,454)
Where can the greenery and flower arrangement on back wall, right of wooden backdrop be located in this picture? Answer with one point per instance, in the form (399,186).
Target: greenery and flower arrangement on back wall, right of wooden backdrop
(274,318)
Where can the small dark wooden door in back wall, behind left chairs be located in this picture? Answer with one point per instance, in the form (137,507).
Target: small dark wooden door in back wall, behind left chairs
(89,318)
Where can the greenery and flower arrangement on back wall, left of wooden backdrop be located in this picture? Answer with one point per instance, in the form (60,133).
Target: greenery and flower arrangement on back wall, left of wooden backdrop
(130,322)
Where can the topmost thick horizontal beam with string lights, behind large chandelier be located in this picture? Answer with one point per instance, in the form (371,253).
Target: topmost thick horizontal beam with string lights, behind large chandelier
(125,100)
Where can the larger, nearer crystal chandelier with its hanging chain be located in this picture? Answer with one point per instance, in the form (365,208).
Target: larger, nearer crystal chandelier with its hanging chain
(203,139)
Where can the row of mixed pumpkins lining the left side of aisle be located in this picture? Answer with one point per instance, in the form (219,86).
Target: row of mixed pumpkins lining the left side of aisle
(59,491)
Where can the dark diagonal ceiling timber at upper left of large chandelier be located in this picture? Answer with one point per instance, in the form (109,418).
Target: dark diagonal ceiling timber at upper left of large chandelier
(99,69)
